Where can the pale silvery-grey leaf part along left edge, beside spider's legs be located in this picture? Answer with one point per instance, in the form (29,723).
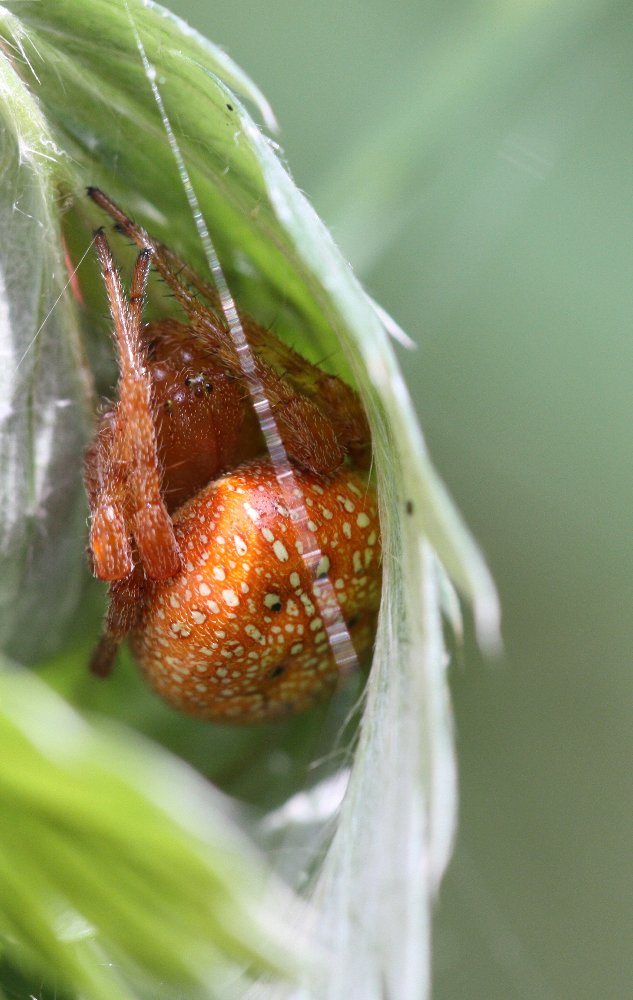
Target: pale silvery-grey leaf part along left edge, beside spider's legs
(43,394)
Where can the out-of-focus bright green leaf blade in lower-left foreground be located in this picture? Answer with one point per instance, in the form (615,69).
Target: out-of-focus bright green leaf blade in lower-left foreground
(90,825)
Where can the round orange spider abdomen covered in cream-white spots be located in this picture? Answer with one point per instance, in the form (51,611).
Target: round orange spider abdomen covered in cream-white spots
(238,634)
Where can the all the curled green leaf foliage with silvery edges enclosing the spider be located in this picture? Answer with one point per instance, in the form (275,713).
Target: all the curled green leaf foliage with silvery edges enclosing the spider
(125,97)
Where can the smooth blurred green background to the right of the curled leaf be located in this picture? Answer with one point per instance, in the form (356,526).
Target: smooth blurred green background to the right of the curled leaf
(474,161)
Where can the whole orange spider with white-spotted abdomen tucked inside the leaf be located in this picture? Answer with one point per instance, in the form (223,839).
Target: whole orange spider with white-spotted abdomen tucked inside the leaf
(234,609)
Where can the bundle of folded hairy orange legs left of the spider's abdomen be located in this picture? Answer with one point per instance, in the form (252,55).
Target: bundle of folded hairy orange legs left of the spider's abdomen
(124,471)
